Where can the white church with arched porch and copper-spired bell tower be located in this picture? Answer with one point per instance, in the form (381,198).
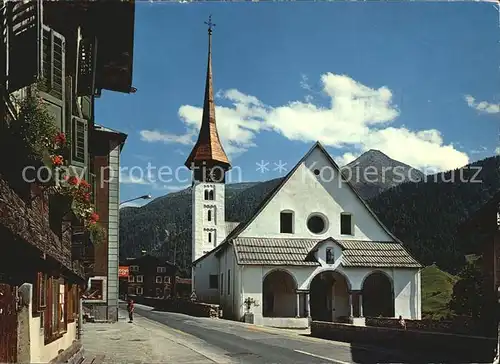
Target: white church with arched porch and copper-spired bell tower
(313,249)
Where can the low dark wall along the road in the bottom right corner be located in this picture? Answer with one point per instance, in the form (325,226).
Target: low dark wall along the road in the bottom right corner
(431,345)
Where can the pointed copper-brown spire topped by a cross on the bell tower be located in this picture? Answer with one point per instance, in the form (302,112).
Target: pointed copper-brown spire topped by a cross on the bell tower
(208,150)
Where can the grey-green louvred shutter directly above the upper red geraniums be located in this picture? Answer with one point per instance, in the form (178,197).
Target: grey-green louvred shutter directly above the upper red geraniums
(53,85)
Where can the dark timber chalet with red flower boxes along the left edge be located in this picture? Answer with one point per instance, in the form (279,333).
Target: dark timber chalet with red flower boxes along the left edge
(51,73)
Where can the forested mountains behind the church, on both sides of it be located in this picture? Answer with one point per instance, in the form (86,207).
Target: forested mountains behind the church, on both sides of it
(412,210)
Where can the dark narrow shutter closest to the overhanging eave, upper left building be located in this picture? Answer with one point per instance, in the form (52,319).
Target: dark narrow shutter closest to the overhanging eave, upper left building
(87,57)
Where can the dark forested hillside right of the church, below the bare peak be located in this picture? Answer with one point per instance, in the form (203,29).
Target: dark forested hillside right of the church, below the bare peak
(425,215)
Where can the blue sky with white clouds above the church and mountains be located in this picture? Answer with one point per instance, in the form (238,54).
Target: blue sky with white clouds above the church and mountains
(418,81)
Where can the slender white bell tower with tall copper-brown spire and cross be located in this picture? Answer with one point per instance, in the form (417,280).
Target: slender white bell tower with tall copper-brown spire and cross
(209,164)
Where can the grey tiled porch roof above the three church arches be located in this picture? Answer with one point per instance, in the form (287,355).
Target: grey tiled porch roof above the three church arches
(296,252)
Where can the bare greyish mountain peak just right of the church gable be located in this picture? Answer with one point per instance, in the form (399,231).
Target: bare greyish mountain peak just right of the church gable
(374,172)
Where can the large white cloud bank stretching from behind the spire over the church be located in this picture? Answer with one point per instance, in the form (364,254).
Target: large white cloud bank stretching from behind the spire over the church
(356,117)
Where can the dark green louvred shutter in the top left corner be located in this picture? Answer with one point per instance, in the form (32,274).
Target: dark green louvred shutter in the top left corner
(23,27)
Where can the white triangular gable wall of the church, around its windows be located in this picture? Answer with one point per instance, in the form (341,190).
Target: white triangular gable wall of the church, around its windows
(304,193)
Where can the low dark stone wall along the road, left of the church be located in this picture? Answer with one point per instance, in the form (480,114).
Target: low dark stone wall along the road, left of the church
(197,309)
